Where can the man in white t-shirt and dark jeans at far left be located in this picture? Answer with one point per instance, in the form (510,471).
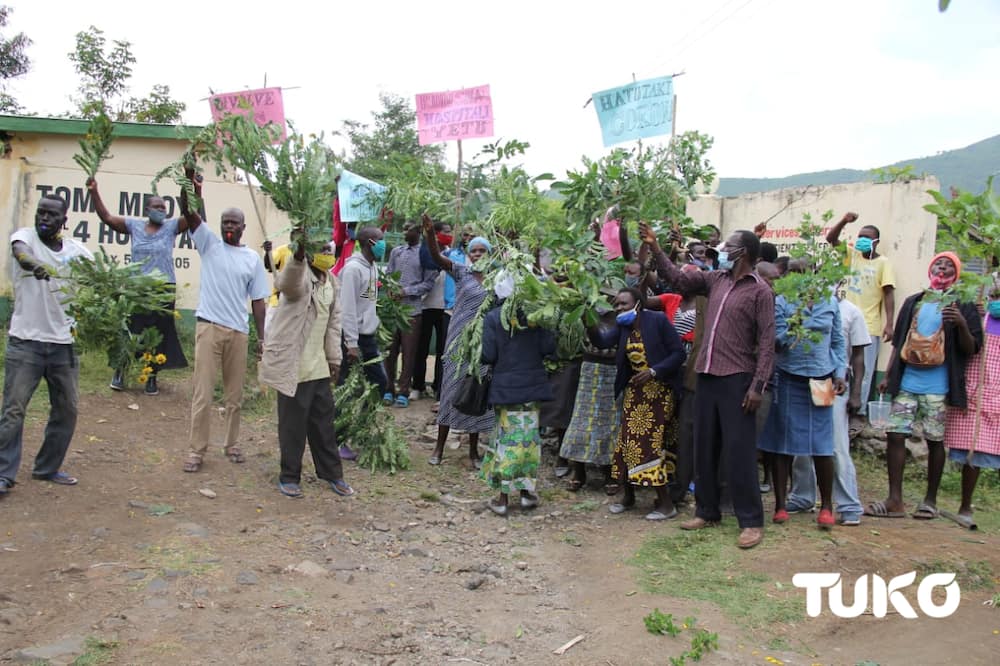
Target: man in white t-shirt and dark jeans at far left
(40,344)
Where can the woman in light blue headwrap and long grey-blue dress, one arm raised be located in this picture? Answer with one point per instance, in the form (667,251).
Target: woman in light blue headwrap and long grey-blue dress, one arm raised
(469,296)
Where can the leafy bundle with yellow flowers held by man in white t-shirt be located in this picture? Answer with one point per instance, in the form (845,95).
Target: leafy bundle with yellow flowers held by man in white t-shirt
(103,296)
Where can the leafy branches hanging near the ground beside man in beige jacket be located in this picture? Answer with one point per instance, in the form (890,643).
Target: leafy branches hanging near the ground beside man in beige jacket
(364,423)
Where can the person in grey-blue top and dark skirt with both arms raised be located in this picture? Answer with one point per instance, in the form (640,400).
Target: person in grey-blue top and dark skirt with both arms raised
(152,246)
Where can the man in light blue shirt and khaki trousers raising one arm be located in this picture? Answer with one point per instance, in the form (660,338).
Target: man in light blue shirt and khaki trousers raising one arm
(231,273)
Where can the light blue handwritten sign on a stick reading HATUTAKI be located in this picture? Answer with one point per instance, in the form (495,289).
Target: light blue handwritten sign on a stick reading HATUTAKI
(637,111)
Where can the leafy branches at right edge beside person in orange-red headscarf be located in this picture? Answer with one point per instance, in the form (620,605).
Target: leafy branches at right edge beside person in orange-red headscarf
(969,225)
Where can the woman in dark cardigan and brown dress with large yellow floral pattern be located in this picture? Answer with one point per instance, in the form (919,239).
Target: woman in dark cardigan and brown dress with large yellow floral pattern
(649,361)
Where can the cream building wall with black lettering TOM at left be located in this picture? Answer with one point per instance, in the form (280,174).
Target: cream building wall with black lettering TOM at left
(39,160)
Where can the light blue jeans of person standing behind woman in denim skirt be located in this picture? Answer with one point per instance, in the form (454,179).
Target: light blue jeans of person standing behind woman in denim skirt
(845,480)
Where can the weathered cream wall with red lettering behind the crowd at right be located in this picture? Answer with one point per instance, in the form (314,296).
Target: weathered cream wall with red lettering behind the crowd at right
(907,230)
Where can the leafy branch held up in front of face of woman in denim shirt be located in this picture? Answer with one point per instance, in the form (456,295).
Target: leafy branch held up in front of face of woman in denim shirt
(823,268)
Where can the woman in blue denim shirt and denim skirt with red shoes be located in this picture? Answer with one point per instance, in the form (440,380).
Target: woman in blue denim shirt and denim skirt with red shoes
(809,373)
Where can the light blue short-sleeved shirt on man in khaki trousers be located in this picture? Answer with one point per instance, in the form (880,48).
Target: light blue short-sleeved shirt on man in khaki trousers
(229,276)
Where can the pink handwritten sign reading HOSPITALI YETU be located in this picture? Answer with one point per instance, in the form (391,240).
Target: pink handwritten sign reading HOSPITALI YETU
(454,114)
